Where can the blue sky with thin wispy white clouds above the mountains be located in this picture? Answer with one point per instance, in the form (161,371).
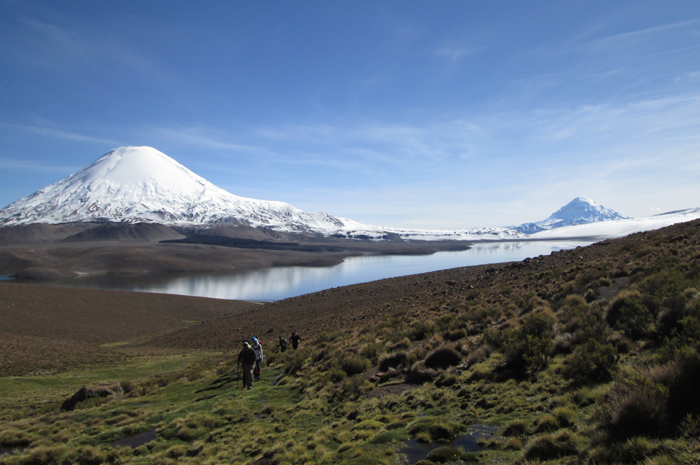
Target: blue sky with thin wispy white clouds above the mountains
(431,114)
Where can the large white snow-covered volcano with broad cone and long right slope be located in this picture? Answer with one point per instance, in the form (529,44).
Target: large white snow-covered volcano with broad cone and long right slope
(143,185)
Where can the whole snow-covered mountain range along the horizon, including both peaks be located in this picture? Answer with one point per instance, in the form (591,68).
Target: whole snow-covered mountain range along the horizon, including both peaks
(132,185)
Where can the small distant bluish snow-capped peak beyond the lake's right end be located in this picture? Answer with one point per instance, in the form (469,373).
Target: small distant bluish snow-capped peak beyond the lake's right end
(577,212)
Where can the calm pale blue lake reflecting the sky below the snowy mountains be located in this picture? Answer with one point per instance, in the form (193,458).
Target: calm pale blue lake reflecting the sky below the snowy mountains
(282,282)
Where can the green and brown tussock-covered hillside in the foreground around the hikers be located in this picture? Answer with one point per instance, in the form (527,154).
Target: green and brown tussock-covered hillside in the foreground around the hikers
(582,356)
